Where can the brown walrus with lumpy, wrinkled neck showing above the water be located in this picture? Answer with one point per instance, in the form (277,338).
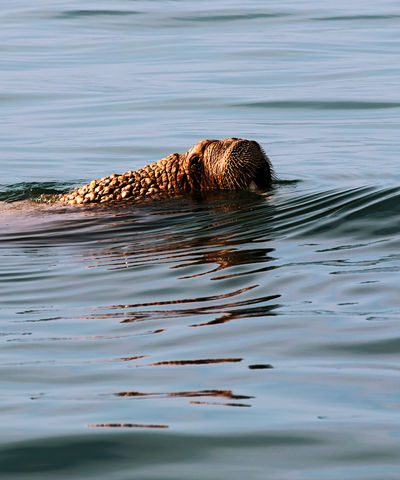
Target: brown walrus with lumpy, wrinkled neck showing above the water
(230,164)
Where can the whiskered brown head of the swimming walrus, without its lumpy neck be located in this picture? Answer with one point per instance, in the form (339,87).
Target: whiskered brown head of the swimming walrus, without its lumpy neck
(229,164)
